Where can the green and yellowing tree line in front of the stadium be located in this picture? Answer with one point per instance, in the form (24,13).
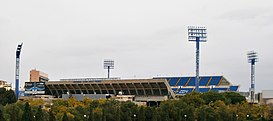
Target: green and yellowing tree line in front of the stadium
(211,106)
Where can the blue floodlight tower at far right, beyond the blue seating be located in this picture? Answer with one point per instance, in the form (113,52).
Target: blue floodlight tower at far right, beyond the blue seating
(252,59)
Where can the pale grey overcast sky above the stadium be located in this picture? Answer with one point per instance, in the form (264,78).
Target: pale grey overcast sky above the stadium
(146,38)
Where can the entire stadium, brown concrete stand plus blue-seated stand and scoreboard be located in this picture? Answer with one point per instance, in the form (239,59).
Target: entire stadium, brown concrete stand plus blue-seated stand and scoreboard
(141,90)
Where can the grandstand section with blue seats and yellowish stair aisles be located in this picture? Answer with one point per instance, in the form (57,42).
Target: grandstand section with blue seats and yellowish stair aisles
(184,85)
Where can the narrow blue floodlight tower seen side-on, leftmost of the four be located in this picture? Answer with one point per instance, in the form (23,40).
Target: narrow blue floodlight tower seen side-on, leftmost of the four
(18,52)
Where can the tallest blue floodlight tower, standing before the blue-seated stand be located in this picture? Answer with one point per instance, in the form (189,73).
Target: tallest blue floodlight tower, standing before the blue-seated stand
(197,34)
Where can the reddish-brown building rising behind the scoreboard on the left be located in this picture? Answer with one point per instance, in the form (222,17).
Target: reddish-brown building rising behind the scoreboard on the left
(38,76)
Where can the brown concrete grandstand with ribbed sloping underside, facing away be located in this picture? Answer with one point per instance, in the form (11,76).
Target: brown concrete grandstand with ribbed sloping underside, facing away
(142,89)
